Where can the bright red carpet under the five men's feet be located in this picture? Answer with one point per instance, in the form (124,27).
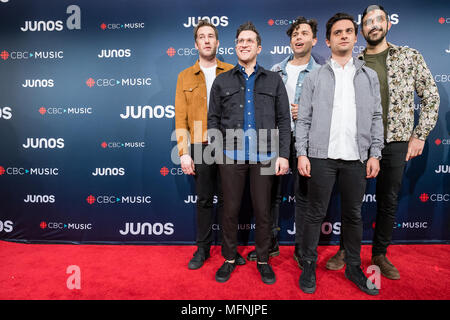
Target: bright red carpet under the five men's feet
(160,272)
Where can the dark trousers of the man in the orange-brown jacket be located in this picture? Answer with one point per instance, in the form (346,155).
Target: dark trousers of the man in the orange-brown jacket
(207,183)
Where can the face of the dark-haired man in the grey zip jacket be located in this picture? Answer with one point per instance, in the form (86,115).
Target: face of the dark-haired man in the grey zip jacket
(342,37)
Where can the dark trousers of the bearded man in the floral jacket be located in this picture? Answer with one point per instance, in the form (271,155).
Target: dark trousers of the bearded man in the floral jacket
(389,182)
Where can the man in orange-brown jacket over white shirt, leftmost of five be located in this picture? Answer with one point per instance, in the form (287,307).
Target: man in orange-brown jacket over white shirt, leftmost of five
(191,108)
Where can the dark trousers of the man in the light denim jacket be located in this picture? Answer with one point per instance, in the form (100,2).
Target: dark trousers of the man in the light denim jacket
(300,186)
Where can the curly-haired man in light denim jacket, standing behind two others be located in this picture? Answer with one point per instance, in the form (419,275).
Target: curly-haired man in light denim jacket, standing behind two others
(293,70)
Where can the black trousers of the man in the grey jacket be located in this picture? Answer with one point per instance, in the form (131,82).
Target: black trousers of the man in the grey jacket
(351,179)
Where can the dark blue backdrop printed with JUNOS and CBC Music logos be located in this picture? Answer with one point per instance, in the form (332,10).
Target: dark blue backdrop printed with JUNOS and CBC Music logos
(87,117)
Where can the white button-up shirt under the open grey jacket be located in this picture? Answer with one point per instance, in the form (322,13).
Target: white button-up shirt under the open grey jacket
(342,143)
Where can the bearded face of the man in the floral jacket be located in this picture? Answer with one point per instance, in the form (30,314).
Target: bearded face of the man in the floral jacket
(375,27)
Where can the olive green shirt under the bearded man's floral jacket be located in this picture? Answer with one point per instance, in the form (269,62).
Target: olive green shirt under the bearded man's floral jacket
(377,62)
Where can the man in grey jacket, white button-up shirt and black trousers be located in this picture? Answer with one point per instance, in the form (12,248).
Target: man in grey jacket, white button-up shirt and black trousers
(339,138)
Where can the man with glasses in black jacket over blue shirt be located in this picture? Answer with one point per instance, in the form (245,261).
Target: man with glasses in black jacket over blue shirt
(250,107)
